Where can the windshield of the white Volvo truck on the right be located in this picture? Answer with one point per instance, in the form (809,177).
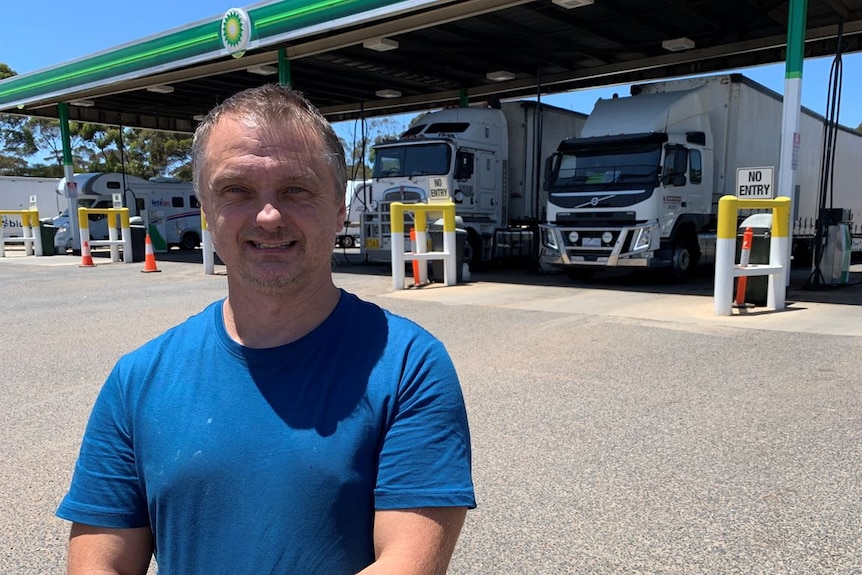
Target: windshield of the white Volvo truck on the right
(626,165)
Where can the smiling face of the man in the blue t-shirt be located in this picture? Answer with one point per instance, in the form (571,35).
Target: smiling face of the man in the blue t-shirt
(271,205)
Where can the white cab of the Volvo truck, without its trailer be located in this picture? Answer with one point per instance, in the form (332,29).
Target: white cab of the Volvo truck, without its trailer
(620,198)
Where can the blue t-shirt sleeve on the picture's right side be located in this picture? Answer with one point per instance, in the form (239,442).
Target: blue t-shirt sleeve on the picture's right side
(425,460)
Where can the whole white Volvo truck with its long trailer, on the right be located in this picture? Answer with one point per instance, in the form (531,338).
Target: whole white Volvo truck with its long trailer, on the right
(640,186)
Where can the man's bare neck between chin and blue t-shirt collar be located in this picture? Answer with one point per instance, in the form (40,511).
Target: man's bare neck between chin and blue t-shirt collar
(261,321)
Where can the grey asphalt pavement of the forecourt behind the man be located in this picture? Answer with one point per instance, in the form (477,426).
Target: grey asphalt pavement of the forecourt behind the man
(619,425)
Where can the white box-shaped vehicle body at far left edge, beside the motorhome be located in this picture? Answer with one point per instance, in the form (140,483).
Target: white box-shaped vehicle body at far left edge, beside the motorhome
(15,194)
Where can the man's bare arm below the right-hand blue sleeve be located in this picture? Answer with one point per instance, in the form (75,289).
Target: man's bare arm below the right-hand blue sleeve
(415,541)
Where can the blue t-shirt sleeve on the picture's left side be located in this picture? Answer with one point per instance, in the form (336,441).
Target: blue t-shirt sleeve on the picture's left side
(105,490)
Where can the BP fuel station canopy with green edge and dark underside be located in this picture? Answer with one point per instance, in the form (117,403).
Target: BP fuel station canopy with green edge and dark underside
(441,52)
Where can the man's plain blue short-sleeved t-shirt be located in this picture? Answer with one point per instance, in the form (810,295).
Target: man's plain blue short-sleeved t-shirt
(274,460)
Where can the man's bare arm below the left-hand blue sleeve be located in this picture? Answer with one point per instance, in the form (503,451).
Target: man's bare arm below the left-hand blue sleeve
(103,551)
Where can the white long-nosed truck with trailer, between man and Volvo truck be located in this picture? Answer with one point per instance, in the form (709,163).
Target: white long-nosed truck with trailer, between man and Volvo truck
(490,159)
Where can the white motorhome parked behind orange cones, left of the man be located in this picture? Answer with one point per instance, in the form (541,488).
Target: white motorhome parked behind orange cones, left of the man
(167,207)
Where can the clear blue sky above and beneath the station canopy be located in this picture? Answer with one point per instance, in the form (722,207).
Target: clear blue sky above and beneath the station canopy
(35,38)
